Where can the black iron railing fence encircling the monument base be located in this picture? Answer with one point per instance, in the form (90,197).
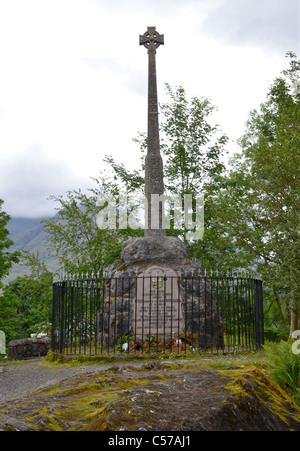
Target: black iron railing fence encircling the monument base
(151,314)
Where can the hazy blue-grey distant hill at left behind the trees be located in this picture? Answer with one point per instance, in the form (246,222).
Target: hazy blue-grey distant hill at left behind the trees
(28,234)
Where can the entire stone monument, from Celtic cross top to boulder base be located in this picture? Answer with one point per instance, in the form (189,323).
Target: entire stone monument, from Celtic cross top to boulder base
(154,289)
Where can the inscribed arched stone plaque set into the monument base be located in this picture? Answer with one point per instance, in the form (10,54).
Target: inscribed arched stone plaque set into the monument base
(157,305)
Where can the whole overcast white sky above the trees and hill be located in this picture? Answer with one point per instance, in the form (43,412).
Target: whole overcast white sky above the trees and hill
(73,80)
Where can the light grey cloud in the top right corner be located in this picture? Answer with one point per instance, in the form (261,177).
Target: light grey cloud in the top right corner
(273,24)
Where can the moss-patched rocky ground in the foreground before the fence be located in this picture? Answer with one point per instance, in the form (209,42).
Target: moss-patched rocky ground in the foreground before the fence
(139,396)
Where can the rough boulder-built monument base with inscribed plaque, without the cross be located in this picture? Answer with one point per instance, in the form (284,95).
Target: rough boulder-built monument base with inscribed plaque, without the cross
(154,290)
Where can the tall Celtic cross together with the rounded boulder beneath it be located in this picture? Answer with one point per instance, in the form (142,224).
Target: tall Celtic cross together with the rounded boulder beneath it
(155,246)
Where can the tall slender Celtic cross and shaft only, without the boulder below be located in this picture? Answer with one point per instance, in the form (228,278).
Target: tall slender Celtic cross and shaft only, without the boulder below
(154,183)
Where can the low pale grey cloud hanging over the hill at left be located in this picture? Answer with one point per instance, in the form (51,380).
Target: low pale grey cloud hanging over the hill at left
(28,179)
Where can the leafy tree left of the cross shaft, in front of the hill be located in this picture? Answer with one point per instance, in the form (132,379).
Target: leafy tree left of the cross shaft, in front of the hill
(75,236)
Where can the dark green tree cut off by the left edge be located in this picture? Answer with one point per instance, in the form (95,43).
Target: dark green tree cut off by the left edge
(6,258)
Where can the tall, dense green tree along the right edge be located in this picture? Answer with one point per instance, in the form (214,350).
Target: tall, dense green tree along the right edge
(258,206)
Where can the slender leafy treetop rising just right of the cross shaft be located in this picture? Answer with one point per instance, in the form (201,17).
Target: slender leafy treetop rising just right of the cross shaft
(191,144)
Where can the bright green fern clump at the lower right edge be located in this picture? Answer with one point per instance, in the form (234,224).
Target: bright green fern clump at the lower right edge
(285,368)
